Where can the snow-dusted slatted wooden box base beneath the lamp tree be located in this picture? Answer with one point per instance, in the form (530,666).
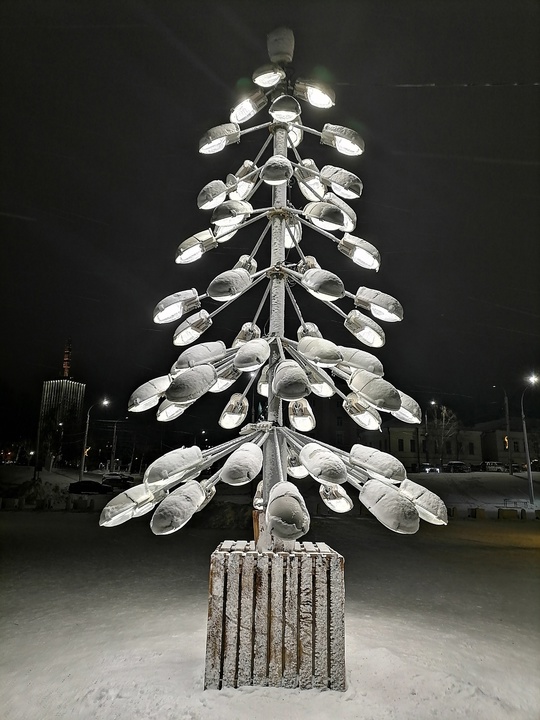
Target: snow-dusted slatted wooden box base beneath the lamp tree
(276,618)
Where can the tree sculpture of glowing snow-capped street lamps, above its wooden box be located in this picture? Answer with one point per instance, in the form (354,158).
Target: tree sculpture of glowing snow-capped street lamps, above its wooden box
(286,369)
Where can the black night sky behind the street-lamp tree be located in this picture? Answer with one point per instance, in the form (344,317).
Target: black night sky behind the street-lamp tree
(102,106)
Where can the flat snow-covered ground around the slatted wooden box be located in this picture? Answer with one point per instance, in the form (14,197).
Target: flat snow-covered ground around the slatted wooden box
(111,623)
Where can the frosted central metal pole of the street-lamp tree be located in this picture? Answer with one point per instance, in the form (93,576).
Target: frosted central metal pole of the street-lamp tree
(271,472)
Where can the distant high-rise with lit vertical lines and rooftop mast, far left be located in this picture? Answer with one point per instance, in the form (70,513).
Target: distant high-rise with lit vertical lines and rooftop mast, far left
(60,418)
